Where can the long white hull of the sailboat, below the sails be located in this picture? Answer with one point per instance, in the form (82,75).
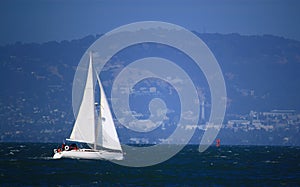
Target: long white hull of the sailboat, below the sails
(89,154)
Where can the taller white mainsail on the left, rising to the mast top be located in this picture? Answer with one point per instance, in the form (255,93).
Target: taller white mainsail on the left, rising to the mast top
(84,128)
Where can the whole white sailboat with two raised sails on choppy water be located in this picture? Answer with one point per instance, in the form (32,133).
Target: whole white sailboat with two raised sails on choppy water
(95,129)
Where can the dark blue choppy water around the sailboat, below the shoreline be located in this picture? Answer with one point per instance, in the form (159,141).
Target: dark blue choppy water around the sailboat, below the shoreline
(31,164)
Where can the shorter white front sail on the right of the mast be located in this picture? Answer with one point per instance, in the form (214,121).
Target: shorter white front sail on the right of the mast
(108,136)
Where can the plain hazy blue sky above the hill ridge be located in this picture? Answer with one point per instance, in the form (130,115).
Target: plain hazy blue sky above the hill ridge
(45,20)
